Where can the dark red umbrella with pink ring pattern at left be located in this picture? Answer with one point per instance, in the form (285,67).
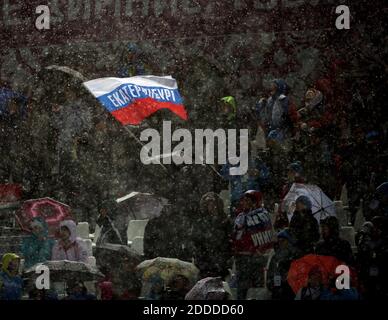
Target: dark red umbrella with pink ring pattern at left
(52,211)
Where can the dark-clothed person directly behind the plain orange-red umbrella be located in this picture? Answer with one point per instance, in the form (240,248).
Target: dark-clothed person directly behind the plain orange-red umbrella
(332,244)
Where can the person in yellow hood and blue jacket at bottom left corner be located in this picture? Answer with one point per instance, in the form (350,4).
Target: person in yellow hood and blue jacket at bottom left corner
(11,284)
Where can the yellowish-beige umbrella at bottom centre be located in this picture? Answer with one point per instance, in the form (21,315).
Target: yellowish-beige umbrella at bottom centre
(167,269)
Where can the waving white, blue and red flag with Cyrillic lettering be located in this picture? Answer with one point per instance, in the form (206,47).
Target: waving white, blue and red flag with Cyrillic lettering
(131,100)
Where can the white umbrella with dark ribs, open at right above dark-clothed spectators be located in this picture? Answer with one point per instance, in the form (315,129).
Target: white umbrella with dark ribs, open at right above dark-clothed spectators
(322,205)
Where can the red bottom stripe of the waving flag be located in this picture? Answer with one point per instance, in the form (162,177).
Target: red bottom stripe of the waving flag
(141,109)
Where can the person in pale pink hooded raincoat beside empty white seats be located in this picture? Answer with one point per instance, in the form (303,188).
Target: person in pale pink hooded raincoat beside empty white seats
(68,246)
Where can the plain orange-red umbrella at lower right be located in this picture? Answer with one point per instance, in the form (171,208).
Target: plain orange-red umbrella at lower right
(299,271)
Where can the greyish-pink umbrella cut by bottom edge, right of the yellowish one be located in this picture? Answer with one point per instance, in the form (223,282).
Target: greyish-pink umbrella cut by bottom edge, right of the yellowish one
(207,289)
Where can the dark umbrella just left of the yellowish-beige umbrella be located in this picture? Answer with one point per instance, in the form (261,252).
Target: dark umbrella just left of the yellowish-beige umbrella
(111,255)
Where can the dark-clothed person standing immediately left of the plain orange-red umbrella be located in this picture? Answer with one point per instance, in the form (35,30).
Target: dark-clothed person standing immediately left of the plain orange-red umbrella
(285,253)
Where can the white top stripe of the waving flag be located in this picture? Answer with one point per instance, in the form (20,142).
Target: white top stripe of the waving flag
(103,86)
